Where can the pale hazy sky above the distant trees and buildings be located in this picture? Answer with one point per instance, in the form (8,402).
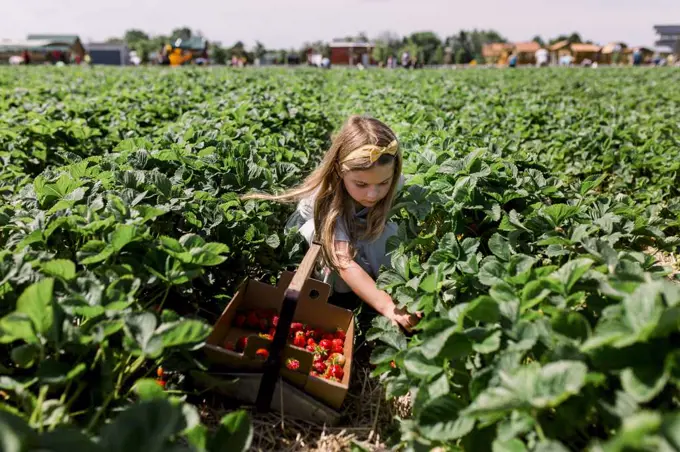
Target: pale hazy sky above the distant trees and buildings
(290,23)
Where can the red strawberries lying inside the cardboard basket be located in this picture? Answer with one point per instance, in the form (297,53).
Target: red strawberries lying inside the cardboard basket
(326,346)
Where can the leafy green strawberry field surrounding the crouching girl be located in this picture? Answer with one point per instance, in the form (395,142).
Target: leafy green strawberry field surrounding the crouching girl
(538,229)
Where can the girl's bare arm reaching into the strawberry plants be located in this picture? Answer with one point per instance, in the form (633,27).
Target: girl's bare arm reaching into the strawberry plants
(364,287)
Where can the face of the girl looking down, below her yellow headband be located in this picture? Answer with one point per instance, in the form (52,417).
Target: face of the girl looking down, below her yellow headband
(368,187)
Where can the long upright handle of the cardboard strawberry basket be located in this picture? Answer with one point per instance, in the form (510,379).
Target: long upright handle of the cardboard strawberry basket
(272,365)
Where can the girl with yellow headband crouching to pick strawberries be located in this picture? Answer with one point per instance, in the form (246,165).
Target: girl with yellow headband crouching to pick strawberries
(344,205)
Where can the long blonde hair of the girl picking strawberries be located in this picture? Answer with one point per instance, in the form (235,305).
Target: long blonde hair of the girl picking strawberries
(332,200)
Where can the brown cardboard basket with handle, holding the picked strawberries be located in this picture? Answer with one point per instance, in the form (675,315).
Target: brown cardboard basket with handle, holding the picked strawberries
(297,298)
